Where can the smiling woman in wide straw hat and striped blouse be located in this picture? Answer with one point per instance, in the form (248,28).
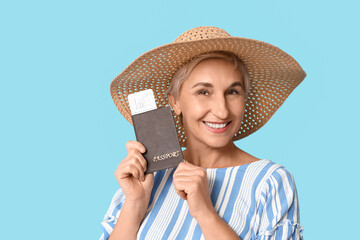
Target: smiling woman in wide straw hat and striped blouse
(221,88)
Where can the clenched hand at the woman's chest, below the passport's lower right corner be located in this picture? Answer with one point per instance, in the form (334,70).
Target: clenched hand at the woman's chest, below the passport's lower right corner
(191,184)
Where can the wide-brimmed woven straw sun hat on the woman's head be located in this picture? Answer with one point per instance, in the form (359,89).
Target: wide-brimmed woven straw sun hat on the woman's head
(273,74)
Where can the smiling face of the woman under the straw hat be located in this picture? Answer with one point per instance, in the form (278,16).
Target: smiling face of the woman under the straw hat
(212,103)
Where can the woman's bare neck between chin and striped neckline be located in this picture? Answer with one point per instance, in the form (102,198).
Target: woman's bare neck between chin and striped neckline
(208,157)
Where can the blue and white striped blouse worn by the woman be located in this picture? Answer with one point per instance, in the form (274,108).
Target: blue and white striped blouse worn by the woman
(257,200)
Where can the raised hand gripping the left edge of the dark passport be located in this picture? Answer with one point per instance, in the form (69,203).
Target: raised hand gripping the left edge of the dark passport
(130,175)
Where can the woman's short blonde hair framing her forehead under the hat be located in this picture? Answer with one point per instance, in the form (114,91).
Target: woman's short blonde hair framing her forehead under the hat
(184,71)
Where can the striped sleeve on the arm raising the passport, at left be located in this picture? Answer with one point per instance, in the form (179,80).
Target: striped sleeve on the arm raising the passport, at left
(112,214)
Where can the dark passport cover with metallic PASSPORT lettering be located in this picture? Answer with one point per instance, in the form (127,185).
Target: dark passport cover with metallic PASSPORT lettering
(156,130)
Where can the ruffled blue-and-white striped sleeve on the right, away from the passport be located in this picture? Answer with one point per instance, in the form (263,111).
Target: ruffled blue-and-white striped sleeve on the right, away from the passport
(280,218)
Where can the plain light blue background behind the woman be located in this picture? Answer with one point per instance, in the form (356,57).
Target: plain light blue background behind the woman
(61,136)
